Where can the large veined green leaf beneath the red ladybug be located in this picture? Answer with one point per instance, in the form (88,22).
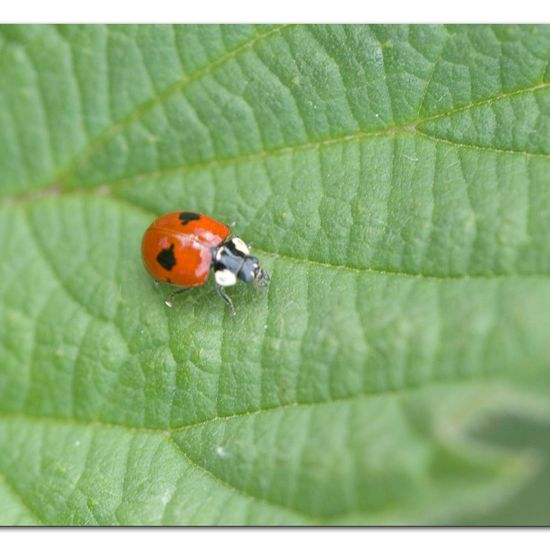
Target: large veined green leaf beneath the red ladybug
(395,183)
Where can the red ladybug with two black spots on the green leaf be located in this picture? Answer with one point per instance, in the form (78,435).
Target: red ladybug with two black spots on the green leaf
(181,248)
